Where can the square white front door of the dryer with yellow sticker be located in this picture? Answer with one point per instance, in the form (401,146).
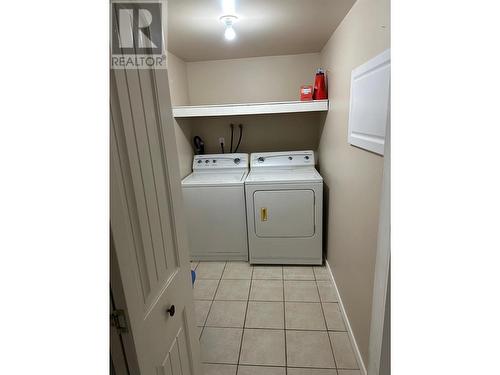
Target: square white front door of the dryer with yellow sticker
(284,213)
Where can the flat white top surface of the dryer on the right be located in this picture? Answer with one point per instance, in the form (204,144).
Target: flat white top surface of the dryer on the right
(295,175)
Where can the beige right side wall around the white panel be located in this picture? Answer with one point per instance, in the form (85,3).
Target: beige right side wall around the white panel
(352,176)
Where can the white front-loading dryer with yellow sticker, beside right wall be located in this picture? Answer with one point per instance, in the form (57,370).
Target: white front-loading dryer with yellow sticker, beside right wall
(284,195)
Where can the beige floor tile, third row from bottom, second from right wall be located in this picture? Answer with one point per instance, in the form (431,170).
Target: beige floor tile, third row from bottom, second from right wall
(304,315)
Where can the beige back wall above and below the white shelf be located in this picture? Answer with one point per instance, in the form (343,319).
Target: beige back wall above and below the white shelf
(259,79)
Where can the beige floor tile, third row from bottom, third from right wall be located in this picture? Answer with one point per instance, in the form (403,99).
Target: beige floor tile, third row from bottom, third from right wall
(265,315)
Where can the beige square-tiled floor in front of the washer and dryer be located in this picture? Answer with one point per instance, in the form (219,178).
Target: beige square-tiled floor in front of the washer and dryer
(270,320)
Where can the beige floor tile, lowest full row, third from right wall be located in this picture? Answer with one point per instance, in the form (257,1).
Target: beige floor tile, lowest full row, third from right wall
(263,347)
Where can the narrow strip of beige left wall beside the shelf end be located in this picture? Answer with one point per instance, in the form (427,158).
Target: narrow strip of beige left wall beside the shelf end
(179,95)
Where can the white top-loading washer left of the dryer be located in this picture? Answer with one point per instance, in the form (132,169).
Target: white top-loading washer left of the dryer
(214,198)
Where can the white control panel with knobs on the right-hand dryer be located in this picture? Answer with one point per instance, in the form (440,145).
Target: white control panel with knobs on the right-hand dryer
(282,159)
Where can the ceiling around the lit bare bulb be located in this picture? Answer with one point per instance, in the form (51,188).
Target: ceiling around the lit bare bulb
(264,27)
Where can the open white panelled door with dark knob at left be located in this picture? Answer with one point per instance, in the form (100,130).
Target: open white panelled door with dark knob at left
(147,225)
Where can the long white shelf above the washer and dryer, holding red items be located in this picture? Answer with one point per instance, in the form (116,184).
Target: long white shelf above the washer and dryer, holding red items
(250,108)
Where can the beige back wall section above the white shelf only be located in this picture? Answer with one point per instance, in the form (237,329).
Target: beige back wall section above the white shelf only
(257,79)
